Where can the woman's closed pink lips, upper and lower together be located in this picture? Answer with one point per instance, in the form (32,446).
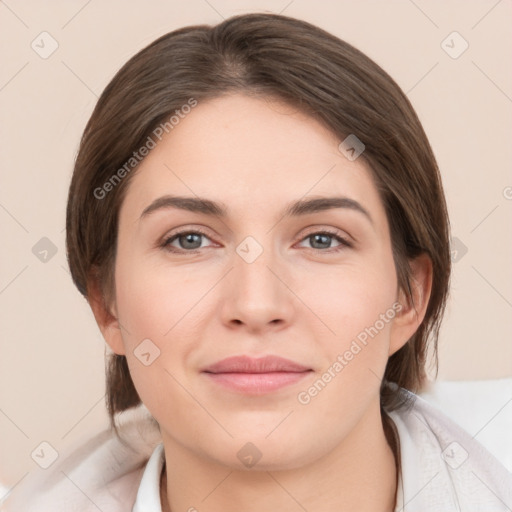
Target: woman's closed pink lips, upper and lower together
(256,376)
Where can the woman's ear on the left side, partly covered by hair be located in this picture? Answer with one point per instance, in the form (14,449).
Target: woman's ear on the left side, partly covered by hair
(105,315)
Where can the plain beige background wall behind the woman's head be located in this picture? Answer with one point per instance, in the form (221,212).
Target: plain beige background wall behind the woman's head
(51,364)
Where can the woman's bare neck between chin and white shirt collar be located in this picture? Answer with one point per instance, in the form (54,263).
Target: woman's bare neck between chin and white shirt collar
(358,474)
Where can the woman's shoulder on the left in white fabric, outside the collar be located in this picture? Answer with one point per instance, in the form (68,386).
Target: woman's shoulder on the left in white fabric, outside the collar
(103,473)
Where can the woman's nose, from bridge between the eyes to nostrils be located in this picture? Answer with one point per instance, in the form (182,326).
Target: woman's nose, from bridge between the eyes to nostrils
(256,291)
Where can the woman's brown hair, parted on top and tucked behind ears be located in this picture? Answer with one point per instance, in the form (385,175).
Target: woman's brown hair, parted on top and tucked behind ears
(264,55)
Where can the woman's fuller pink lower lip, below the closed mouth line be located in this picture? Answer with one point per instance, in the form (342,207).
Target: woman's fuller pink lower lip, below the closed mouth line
(257,383)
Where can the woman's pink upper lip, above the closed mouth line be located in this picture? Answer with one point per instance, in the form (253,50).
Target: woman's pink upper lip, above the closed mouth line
(247,364)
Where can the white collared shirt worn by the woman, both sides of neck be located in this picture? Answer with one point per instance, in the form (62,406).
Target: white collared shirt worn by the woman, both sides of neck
(443,470)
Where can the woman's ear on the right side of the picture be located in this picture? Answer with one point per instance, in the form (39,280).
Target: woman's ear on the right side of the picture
(410,316)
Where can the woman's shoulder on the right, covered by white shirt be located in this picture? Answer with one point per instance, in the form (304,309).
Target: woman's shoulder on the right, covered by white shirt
(443,466)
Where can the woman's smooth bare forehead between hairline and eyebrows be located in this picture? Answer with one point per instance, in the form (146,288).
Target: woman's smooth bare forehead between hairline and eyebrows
(251,154)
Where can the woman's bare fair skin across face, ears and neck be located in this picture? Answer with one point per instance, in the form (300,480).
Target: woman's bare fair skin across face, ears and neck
(299,299)
